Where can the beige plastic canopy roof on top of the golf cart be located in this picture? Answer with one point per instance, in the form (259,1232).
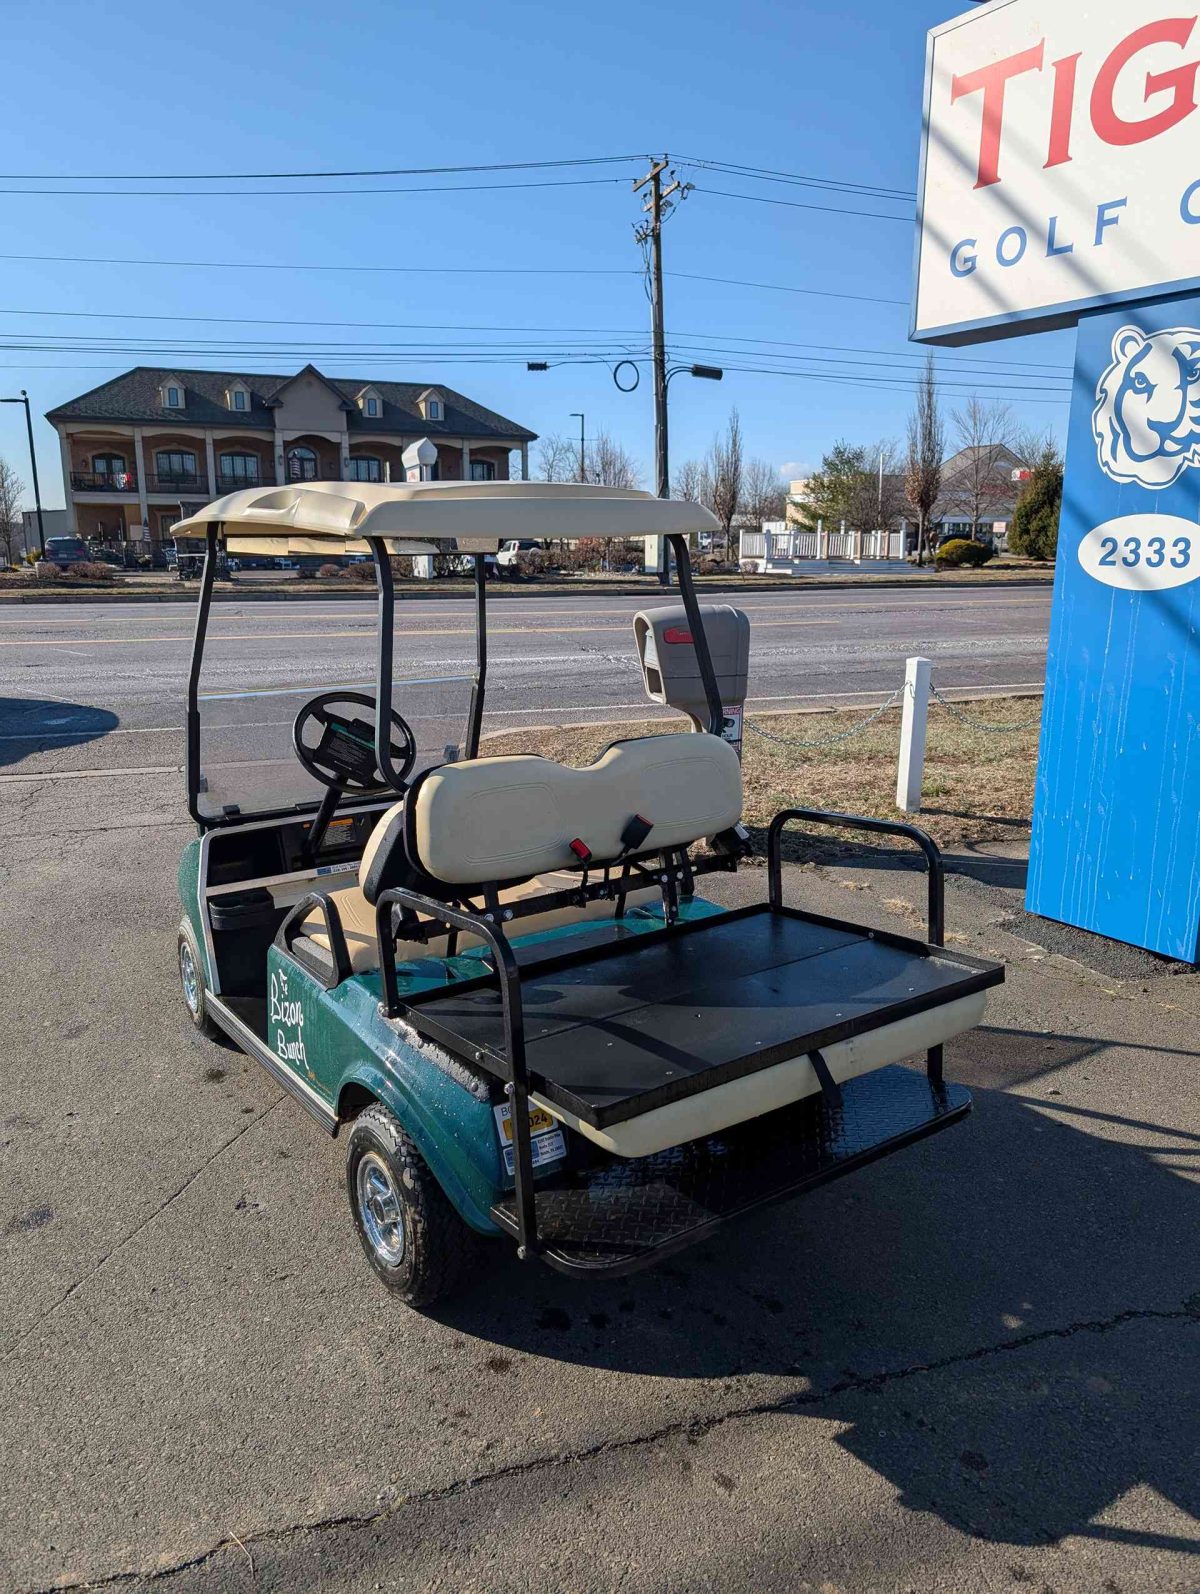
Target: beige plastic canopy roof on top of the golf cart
(417,517)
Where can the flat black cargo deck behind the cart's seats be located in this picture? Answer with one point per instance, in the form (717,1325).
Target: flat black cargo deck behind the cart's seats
(618,1031)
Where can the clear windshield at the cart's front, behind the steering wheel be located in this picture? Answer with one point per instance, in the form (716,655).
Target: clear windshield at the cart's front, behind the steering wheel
(265,662)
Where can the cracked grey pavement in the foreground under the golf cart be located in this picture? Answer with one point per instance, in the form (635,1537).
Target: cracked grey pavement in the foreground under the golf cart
(970,1367)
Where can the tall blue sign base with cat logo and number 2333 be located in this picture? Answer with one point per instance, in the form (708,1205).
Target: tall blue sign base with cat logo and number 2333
(1116,828)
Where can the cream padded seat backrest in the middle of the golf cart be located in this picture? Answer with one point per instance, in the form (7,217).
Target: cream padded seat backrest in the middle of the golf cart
(485,822)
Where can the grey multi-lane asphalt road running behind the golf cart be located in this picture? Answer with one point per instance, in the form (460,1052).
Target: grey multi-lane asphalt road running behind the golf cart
(101,686)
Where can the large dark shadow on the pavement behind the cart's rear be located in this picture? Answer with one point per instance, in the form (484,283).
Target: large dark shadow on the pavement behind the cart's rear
(1006,1317)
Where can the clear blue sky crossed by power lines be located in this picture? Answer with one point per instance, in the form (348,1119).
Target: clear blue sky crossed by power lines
(149,88)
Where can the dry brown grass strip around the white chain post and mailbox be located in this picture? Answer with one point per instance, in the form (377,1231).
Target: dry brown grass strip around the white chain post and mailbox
(978,785)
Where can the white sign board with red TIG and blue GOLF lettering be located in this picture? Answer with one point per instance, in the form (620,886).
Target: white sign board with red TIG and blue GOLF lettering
(1061,165)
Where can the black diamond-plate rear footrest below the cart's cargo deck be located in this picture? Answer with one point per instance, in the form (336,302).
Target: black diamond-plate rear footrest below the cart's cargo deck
(624,1215)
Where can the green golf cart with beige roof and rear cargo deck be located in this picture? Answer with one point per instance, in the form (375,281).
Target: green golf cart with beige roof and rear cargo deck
(498,978)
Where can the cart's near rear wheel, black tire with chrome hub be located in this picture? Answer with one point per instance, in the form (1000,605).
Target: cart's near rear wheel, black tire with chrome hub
(431,1249)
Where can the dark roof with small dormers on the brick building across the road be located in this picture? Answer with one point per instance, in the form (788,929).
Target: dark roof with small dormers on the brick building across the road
(135,399)
